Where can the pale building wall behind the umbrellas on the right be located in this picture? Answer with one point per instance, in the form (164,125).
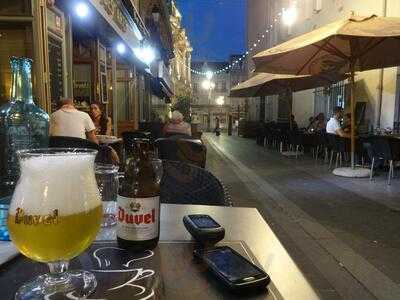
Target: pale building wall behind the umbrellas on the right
(379,89)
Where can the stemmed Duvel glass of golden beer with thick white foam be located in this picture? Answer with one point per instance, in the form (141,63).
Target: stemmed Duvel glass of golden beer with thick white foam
(55,214)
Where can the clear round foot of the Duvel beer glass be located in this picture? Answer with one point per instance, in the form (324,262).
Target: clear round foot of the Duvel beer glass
(74,284)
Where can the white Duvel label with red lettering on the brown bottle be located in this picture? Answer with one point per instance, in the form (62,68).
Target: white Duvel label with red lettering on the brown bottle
(138,218)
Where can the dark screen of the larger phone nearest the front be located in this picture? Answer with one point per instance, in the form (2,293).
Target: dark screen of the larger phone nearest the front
(231,265)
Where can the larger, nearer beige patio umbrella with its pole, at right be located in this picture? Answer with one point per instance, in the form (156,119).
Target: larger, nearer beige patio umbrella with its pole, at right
(345,46)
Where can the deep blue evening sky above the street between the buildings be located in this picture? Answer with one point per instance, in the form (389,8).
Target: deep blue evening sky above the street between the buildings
(216,28)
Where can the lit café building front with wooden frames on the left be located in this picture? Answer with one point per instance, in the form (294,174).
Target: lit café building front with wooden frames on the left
(86,51)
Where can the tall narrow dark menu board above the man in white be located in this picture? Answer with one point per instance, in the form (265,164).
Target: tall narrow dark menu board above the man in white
(56,71)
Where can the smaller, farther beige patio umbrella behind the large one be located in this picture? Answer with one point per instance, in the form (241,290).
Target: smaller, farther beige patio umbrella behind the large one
(264,84)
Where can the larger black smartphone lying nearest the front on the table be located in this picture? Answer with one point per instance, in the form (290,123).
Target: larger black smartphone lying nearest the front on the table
(232,269)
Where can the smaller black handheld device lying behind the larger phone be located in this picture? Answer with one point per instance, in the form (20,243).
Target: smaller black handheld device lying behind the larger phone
(204,229)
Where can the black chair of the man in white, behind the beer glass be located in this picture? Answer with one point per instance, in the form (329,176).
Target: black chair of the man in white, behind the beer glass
(103,155)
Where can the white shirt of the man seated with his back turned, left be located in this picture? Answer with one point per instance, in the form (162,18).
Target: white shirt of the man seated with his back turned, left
(70,122)
